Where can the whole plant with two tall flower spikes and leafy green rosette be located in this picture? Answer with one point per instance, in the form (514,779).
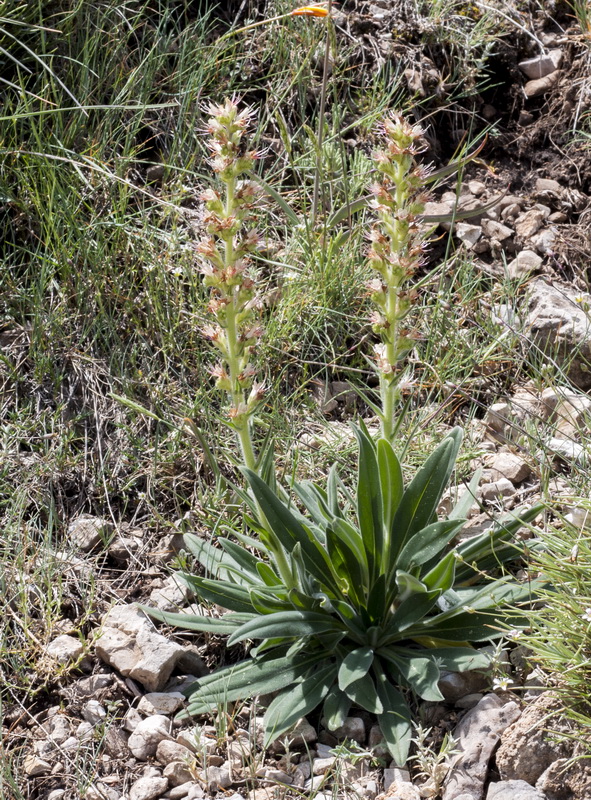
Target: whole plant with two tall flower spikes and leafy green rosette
(352,598)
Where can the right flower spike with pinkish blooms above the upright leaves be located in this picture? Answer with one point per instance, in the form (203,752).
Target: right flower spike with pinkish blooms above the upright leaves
(396,250)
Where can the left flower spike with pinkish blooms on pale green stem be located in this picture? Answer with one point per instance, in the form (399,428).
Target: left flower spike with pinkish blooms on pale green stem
(225,265)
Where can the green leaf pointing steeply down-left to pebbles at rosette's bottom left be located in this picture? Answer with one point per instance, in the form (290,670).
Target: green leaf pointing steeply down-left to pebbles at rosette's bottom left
(290,706)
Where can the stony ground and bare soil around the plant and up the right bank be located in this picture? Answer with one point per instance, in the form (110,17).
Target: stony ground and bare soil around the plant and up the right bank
(104,726)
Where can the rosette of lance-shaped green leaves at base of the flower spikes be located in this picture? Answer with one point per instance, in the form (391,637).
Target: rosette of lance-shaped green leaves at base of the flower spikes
(357,599)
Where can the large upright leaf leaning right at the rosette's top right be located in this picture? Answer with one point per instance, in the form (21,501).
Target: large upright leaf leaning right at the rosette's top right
(423,494)
